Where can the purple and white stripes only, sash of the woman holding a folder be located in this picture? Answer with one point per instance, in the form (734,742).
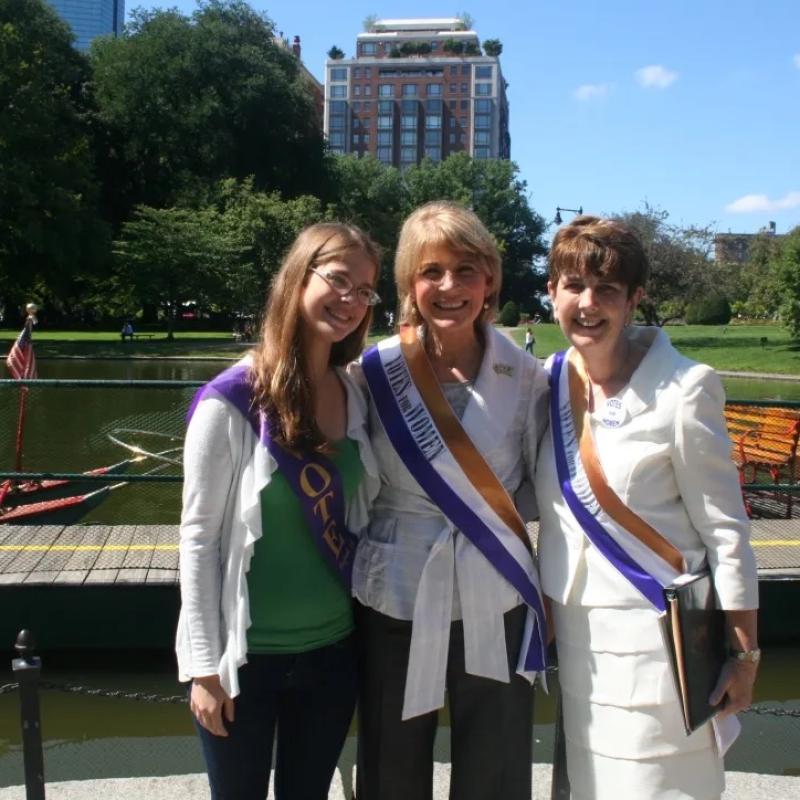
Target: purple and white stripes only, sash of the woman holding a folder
(635,561)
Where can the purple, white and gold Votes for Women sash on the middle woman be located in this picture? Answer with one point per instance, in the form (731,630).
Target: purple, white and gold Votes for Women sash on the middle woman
(440,456)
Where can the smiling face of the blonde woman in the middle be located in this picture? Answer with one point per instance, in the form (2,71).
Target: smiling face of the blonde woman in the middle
(450,289)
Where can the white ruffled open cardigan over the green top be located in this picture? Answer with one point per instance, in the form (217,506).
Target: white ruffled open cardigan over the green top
(225,470)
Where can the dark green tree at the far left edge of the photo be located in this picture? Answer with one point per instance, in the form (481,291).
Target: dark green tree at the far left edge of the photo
(50,231)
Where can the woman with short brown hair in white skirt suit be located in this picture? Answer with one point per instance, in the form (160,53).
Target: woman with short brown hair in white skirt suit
(656,420)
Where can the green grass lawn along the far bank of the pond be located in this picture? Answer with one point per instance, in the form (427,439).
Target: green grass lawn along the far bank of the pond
(737,348)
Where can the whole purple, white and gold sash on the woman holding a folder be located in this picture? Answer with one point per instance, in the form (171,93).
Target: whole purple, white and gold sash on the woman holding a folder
(640,554)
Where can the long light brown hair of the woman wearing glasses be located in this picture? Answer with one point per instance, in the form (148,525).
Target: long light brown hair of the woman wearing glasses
(281,383)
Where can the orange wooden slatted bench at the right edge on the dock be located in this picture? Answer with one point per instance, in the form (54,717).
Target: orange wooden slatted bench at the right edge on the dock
(764,439)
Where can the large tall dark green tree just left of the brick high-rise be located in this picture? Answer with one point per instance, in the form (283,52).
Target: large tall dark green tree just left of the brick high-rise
(187,101)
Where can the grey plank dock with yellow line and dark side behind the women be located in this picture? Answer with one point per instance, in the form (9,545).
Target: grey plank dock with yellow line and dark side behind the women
(117,587)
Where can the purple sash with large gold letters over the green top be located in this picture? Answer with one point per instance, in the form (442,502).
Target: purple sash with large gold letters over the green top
(314,479)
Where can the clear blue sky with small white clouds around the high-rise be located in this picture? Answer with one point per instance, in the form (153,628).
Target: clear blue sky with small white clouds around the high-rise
(692,106)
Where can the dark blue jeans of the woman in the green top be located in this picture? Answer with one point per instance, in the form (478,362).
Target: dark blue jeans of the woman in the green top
(310,697)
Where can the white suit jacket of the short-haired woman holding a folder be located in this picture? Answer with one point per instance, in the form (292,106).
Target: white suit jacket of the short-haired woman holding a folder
(670,462)
